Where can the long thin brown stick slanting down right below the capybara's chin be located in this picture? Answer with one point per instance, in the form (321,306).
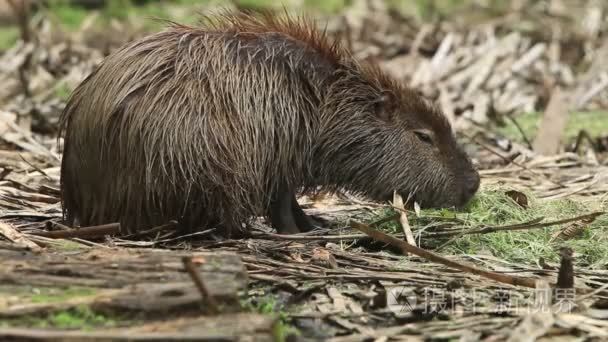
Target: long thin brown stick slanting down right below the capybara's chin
(404,246)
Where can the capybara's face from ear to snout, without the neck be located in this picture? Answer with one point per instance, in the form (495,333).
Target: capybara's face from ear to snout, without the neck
(421,151)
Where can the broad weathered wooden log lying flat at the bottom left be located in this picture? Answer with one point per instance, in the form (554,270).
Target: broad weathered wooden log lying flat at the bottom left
(148,281)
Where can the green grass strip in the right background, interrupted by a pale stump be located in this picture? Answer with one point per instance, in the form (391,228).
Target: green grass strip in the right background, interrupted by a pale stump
(595,123)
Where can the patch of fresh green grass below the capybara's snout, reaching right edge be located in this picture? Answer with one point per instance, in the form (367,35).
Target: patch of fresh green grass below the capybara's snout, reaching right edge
(492,207)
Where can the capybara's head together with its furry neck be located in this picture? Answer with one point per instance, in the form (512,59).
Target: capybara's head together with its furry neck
(398,141)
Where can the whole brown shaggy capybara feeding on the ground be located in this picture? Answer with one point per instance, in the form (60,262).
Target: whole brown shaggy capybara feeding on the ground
(213,125)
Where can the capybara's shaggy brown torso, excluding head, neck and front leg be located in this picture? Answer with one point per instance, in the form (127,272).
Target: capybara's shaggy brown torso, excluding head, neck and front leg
(185,124)
